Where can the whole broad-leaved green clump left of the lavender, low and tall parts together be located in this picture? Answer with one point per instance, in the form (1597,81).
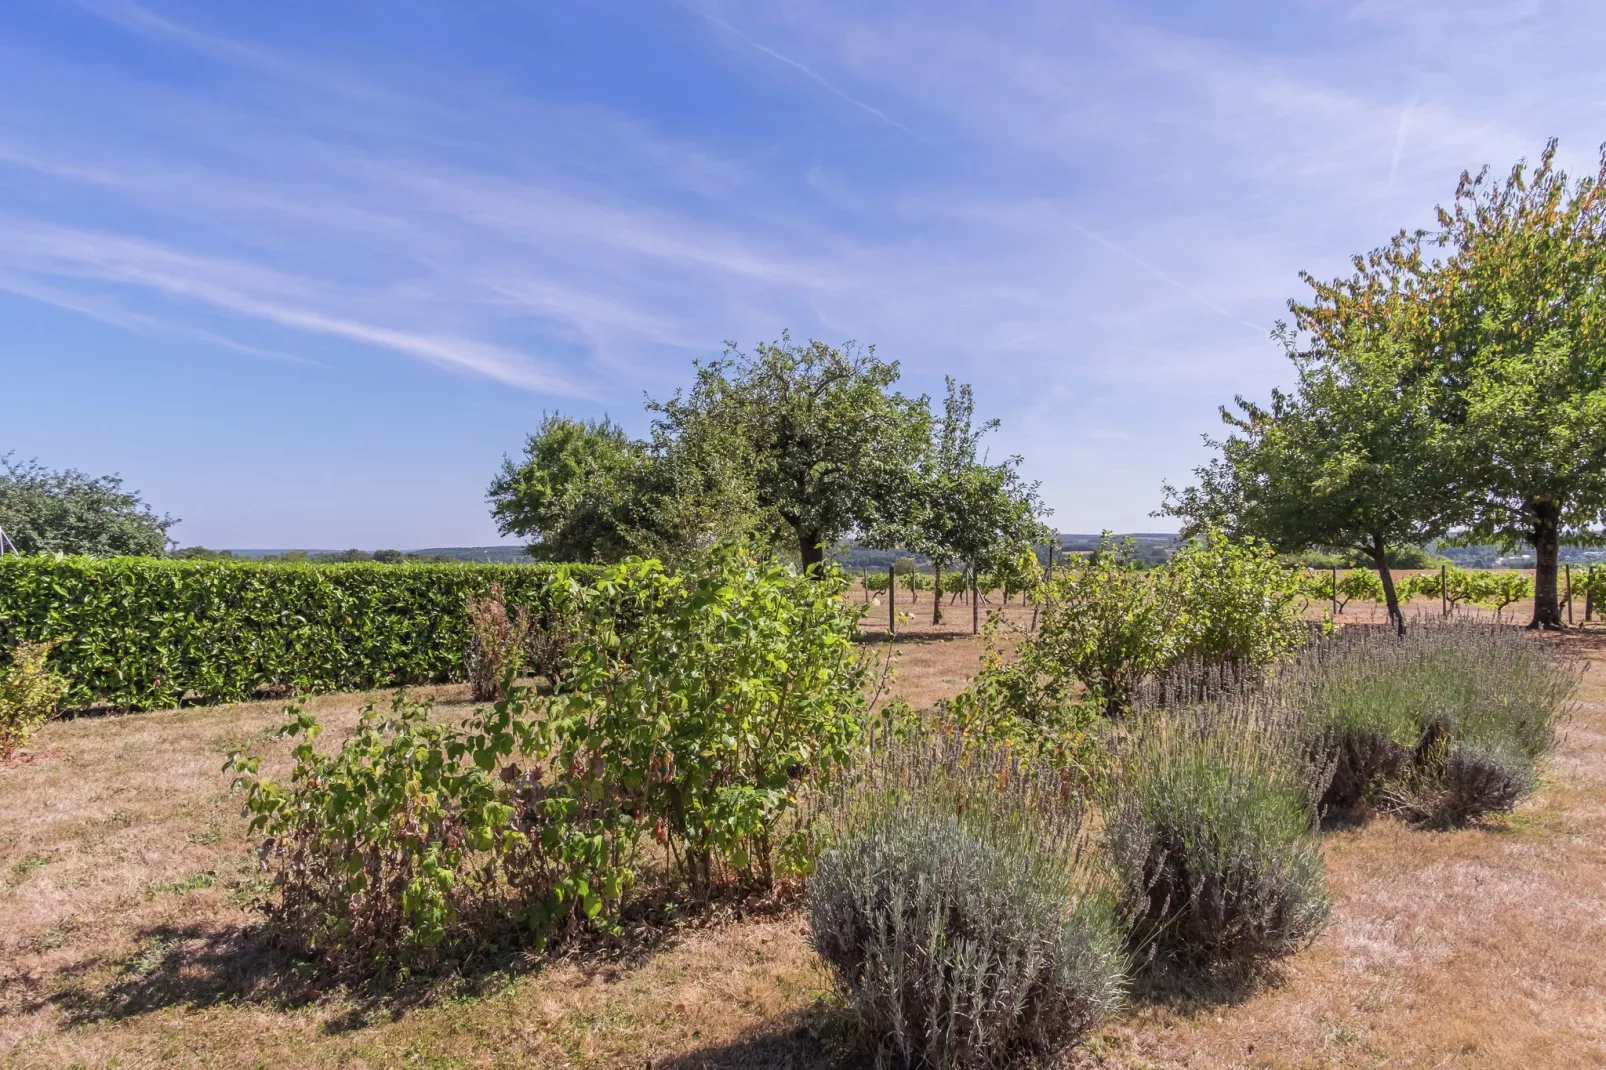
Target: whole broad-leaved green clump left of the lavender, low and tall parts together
(696,709)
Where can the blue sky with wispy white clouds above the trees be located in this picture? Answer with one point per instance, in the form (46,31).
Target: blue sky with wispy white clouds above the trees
(304,272)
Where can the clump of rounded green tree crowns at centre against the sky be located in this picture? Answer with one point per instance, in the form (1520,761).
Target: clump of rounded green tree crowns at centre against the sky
(796,444)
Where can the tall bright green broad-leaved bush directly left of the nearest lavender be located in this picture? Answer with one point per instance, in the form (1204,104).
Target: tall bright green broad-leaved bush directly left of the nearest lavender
(738,684)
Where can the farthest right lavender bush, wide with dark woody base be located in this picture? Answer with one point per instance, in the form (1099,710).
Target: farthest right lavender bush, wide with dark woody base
(1445,724)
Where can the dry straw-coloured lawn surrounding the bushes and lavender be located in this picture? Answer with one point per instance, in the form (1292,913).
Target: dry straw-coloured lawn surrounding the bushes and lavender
(126,884)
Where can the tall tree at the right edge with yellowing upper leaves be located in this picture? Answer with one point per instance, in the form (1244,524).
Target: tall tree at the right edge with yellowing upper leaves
(1525,296)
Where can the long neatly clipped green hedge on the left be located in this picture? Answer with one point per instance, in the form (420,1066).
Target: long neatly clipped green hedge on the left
(142,634)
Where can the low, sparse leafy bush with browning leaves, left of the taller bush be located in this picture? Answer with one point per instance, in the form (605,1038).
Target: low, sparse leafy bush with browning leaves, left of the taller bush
(417,838)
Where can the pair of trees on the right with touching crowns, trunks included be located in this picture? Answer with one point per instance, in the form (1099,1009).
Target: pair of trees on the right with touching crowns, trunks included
(1462,396)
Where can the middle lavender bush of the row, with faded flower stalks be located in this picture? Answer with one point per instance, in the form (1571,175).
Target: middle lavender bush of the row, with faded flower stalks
(1213,831)
